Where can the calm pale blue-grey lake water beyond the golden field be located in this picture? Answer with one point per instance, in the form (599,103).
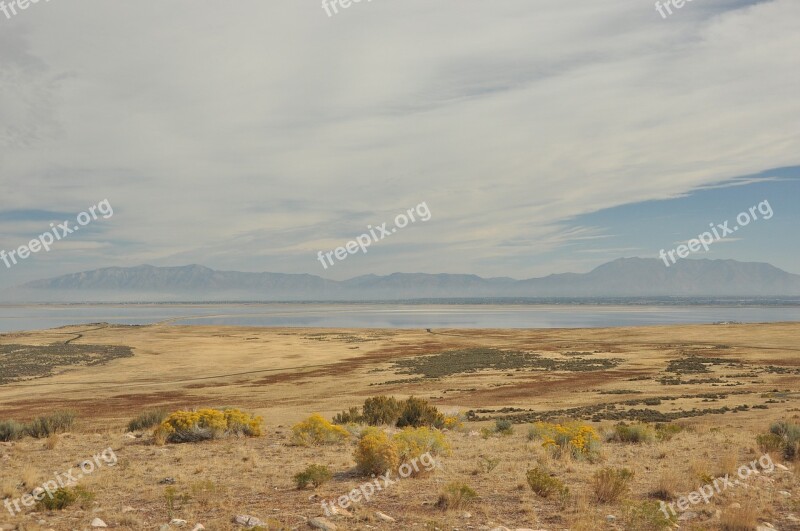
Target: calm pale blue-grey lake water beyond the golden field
(337,315)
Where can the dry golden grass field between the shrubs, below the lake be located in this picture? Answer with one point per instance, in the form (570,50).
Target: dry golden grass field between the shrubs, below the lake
(724,384)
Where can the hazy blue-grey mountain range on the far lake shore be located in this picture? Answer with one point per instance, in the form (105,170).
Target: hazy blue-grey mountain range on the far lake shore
(626,277)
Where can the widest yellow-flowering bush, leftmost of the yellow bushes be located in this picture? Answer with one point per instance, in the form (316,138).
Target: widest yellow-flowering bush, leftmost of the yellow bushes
(206,424)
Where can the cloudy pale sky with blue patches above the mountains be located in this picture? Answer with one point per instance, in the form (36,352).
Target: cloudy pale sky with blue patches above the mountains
(543,136)
